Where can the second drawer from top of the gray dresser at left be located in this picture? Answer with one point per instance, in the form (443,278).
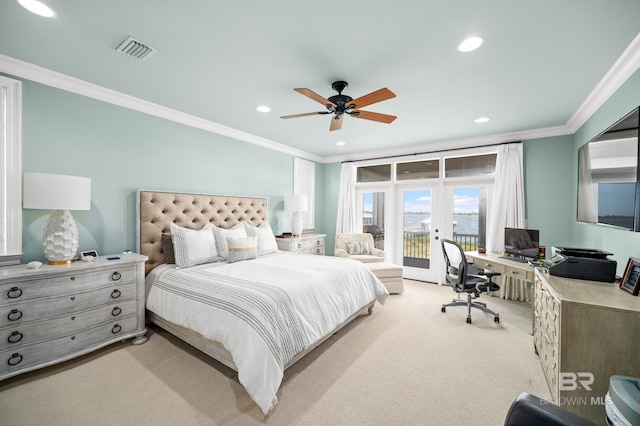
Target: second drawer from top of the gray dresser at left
(22,312)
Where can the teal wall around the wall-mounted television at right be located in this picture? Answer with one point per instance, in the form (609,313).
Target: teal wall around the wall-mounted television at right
(623,244)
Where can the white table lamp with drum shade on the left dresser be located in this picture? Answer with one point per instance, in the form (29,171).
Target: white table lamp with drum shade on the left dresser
(59,193)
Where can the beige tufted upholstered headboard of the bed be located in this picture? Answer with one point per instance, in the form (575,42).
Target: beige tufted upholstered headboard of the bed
(157,209)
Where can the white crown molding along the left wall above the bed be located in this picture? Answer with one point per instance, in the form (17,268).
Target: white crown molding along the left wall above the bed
(64,82)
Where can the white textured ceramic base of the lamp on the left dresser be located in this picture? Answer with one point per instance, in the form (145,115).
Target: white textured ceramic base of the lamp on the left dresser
(60,240)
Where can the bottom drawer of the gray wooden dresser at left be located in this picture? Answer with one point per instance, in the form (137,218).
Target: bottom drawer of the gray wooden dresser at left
(12,360)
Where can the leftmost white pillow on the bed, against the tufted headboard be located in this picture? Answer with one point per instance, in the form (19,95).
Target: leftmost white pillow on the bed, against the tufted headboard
(191,247)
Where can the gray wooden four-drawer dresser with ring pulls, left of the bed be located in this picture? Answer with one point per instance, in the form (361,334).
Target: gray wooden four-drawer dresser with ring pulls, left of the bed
(55,313)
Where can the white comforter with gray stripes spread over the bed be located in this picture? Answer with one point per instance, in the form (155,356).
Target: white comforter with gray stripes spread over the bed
(264,311)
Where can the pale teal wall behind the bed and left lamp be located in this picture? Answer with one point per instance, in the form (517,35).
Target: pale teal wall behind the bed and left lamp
(123,150)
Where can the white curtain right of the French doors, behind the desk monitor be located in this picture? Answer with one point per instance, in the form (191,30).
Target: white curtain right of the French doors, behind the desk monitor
(507,208)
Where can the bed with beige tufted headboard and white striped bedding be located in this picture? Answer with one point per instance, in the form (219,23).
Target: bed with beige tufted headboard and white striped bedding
(258,313)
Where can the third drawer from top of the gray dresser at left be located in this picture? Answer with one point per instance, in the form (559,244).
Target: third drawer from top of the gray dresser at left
(17,335)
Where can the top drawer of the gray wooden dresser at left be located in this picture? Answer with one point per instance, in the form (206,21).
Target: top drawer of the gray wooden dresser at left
(64,284)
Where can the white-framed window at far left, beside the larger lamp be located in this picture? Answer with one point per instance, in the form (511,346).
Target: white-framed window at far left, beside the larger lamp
(11,172)
